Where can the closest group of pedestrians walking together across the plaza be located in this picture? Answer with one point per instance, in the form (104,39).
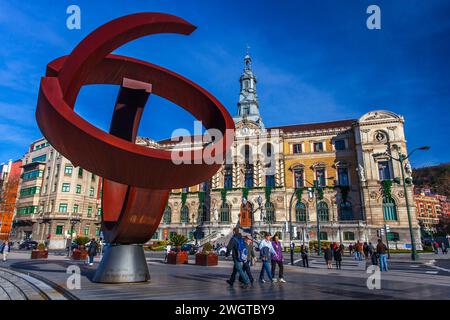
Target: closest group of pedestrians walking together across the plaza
(244,257)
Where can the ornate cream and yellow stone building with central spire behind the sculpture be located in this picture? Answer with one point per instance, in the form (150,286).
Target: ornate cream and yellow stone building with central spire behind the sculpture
(274,164)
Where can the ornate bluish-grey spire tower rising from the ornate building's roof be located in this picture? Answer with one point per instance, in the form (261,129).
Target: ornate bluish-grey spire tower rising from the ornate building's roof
(248,105)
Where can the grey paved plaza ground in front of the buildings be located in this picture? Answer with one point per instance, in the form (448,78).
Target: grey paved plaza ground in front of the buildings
(429,278)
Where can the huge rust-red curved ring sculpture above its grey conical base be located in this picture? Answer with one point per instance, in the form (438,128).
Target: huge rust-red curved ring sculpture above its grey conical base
(137,179)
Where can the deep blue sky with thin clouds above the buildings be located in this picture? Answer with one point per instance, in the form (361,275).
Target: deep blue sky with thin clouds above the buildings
(315,61)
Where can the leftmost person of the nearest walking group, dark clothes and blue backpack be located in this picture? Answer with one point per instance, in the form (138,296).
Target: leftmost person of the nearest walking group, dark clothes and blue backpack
(237,248)
